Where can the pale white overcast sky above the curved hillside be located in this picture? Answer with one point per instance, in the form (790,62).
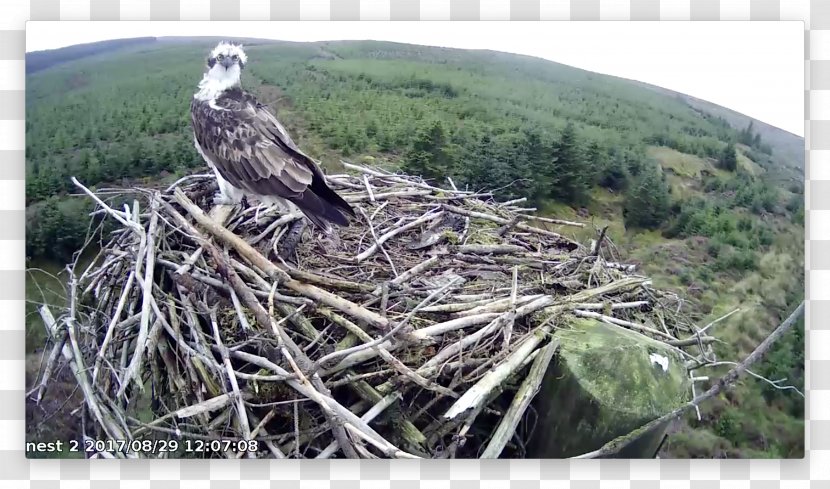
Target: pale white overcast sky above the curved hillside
(756,68)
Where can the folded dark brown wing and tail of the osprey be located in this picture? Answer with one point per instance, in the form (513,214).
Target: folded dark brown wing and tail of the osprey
(253,152)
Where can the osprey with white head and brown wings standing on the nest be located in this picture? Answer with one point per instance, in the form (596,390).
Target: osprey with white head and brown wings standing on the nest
(249,150)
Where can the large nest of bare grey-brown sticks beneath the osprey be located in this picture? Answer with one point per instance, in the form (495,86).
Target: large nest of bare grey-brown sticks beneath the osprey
(422,330)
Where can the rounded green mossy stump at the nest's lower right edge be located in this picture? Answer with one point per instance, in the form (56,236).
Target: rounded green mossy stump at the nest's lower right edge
(603,385)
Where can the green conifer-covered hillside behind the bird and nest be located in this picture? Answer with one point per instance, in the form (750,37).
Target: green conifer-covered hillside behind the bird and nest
(705,201)
